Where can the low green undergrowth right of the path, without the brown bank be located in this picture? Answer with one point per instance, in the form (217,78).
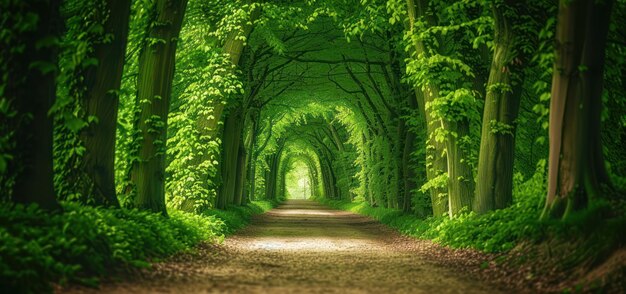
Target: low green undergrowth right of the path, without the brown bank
(501,230)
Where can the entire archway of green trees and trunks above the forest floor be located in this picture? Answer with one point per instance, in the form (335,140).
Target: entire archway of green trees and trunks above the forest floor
(433,108)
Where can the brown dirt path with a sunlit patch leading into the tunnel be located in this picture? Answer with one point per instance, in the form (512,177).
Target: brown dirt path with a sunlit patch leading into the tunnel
(304,247)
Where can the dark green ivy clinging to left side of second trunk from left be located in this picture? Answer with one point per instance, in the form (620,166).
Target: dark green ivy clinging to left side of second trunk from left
(85,21)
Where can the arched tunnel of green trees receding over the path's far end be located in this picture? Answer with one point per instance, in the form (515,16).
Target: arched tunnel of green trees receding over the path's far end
(339,107)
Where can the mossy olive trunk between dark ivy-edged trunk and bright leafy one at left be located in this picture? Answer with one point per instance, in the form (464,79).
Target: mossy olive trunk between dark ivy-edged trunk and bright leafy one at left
(154,87)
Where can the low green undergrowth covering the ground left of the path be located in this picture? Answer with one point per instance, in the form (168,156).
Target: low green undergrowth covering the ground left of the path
(80,244)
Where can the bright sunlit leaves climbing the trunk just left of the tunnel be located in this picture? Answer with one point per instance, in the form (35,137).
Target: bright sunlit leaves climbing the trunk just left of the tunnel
(206,78)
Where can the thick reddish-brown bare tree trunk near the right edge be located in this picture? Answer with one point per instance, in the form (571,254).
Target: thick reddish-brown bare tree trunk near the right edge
(576,165)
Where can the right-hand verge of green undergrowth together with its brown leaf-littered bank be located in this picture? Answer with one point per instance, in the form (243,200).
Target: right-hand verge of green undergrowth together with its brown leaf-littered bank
(563,249)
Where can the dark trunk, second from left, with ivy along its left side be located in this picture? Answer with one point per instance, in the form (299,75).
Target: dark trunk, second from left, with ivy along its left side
(101,101)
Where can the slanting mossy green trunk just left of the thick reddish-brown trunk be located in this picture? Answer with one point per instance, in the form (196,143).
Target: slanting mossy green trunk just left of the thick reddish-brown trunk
(494,186)
